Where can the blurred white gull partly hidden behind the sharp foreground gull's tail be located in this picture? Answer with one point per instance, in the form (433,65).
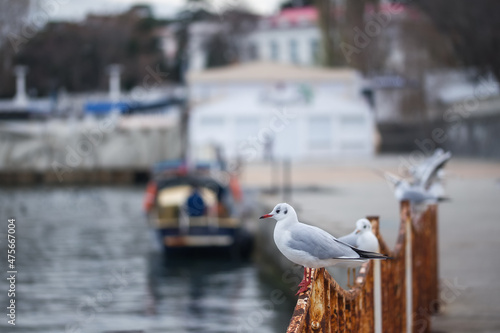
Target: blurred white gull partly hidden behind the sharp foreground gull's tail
(361,238)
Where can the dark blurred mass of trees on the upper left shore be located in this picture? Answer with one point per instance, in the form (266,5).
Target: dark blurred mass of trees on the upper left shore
(76,55)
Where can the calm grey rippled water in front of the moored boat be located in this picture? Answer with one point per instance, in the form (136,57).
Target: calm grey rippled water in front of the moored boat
(85,264)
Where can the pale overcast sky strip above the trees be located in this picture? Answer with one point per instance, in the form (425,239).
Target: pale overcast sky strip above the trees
(77,10)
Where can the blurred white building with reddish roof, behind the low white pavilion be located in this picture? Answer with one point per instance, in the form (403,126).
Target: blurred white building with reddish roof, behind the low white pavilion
(289,37)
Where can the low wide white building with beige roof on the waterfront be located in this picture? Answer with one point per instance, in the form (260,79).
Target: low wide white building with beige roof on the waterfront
(254,109)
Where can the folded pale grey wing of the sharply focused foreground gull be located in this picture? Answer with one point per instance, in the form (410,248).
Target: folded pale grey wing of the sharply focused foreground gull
(318,243)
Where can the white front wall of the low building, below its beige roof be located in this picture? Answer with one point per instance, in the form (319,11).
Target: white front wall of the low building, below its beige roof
(238,118)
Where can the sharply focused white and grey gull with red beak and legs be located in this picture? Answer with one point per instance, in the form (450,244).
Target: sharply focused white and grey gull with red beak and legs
(310,246)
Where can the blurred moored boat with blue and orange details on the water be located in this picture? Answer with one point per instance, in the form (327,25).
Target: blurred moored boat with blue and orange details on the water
(196,211)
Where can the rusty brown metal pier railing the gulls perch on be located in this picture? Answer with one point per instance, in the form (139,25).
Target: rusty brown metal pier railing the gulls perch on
(396,295)
